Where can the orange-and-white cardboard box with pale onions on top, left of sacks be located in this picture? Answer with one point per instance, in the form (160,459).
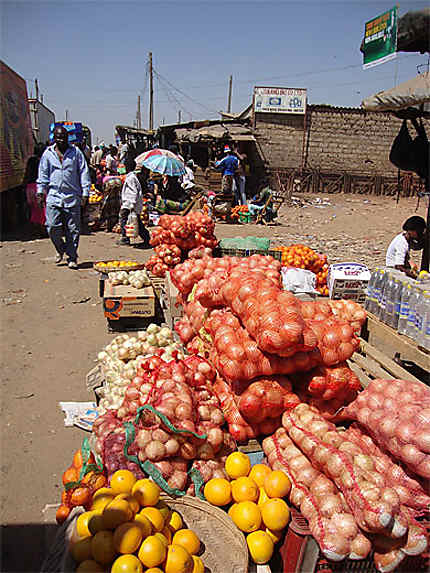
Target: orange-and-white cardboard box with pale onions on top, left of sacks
(125,301)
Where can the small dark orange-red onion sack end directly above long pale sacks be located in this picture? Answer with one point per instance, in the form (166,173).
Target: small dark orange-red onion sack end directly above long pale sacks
(267,398)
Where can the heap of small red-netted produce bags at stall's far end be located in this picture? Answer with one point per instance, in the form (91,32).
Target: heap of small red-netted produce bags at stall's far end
(178,235)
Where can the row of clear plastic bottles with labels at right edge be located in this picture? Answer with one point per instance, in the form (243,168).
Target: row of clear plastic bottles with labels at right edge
(400,302)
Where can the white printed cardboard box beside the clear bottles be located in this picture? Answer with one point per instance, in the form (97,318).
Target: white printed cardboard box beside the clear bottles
(348,281)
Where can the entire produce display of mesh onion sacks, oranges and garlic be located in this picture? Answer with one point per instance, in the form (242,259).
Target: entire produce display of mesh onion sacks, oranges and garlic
(245,424)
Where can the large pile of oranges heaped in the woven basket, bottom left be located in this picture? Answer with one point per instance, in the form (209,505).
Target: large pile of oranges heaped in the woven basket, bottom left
(130,530)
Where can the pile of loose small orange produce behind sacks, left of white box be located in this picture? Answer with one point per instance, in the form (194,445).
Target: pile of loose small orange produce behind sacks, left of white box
(303,257)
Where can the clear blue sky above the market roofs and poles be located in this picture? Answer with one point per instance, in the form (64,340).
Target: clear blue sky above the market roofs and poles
(91,57)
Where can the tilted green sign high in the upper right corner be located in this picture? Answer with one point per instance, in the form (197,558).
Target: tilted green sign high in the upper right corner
(380,39)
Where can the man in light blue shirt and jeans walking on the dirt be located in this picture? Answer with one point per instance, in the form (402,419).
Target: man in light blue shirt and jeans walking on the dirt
(64,182)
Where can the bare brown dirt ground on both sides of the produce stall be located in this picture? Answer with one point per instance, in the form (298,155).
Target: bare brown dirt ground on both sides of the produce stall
(52,327)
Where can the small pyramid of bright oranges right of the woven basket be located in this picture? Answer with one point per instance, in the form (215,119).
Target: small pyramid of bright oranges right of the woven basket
(257,508)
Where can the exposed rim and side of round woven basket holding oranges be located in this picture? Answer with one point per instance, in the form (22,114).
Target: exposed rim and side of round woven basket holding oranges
(225,548)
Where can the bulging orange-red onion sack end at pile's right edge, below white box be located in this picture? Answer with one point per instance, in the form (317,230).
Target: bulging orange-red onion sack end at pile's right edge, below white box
(336,340)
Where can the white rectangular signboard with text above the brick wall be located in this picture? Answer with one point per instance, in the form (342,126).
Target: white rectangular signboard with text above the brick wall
(279,100)
